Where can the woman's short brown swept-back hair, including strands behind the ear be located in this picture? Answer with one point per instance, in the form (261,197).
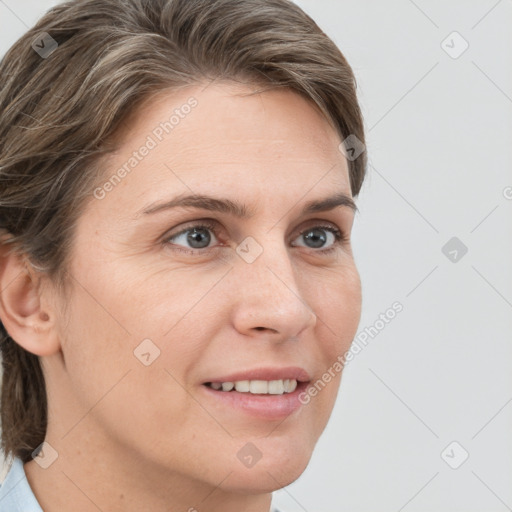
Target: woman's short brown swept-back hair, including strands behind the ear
(59,114)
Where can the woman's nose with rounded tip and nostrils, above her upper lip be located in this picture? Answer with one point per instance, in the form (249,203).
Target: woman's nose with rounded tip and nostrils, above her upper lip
(269,300)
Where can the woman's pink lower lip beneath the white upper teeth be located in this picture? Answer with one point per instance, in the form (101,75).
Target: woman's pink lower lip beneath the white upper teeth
(270,407)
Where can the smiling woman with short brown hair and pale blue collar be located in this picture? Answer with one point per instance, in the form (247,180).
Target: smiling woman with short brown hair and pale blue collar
(177,184)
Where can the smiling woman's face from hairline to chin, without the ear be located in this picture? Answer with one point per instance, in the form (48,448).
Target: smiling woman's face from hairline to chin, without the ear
(250,285)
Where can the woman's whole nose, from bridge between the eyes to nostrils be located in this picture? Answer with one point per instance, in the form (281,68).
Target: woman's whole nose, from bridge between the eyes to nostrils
(271,294)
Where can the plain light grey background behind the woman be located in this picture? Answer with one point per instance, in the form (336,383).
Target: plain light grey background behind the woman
(439,139)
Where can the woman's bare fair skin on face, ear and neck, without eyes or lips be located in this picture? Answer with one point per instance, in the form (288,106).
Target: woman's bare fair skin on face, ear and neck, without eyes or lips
(133,437)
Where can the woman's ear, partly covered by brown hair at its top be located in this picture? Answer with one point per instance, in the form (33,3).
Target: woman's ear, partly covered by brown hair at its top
(25,309)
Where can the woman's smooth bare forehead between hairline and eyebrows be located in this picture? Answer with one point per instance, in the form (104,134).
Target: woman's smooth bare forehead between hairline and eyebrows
(225,137)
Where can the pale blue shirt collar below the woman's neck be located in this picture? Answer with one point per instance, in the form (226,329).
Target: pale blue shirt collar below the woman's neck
(17,496)
